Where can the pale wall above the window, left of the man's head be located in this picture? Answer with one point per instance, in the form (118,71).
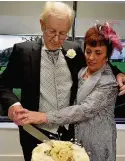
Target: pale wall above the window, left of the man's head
(20,17)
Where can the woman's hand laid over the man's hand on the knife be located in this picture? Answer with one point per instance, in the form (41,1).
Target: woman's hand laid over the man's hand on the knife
(32,117)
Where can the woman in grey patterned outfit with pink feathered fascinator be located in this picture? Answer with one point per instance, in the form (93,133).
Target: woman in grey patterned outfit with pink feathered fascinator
(93,114)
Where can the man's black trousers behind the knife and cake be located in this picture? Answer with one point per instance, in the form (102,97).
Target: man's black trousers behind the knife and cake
(28,142)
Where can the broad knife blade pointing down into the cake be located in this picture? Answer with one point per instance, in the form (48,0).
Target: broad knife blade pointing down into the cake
(36,133)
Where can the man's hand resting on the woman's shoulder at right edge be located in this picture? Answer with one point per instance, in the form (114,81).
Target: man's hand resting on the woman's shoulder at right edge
(121,83)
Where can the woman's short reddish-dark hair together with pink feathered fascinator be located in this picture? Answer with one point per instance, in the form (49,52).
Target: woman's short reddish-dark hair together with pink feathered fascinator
(102,35)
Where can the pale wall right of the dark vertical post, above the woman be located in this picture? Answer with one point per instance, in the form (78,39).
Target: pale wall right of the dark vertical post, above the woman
(88,12)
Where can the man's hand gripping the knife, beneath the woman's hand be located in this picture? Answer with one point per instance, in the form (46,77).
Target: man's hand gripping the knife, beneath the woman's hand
(15,111)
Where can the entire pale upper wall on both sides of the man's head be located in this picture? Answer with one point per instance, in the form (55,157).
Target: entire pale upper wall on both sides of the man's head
(22,17)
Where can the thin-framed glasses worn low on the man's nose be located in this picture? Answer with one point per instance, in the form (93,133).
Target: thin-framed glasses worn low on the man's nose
(52,33)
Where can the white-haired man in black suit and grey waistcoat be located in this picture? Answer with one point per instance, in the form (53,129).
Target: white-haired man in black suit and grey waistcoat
(46,71)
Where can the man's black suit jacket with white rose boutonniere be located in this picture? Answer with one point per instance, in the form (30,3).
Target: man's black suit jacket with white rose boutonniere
(23,71)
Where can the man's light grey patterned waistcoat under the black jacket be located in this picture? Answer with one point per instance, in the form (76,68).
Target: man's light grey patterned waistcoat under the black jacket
(55,85)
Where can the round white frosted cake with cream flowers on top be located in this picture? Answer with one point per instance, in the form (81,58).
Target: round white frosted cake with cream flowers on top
(59,151)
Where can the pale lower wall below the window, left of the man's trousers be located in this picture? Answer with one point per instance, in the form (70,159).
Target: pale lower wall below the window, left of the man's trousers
(10,149)
